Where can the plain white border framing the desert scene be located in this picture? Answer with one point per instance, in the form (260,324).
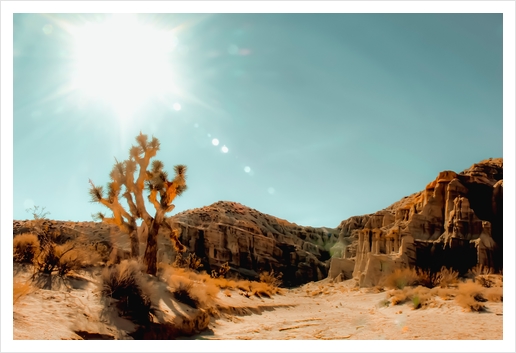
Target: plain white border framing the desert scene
(7,10)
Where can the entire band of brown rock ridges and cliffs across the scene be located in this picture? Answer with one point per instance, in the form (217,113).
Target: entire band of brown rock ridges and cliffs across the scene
(456,221)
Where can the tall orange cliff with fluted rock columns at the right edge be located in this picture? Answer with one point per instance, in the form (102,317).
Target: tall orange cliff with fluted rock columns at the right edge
(456,221)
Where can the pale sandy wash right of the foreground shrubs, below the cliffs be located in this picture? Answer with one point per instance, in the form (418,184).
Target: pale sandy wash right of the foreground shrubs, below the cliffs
(357,315)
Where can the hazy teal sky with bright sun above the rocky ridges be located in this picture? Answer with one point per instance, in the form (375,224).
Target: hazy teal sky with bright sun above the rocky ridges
(312,118)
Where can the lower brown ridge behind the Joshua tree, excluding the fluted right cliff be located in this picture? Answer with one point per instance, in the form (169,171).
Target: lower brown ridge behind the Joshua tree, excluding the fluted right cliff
(250,241)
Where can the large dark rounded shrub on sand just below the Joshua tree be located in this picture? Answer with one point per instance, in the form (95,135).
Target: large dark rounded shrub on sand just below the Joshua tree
(126,284)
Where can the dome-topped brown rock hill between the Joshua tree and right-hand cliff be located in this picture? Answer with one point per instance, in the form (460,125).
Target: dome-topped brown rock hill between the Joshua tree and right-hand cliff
(252,242)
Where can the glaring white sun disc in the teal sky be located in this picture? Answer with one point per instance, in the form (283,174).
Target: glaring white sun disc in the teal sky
(123,62)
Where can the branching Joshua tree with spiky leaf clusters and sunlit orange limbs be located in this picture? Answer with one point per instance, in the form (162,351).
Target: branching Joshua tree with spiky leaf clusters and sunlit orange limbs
(161,194)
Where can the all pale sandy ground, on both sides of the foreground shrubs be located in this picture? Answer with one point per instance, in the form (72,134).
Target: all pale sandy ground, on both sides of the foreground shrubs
(316,311)
